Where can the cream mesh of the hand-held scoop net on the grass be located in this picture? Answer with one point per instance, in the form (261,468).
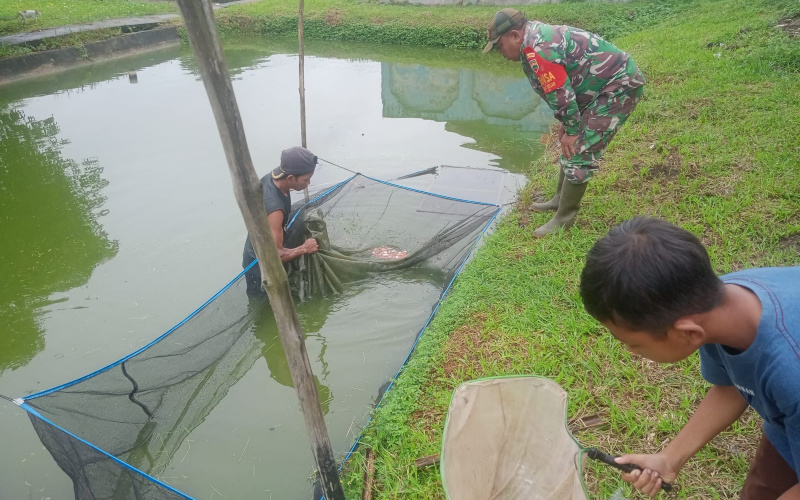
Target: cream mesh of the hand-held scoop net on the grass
(507,439)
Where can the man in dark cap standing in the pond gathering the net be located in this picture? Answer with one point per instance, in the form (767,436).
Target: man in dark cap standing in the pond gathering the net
(293,174)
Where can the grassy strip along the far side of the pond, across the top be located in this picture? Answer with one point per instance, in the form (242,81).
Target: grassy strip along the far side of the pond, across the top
(344,20)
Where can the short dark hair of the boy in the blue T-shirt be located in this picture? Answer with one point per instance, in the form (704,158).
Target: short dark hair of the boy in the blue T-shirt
(647,273)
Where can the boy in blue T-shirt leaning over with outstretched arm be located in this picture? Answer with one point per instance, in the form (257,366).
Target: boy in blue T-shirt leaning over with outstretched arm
(652,285)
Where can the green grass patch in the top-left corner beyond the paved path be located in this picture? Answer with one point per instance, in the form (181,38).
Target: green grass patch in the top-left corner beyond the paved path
(61,12)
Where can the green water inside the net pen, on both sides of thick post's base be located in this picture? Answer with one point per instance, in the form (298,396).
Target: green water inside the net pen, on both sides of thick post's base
(360,338)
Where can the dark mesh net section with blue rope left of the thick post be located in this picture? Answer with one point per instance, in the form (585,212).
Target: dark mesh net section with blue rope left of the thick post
(141,409)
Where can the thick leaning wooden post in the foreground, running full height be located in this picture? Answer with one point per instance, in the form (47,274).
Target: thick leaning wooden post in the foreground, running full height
(204,38)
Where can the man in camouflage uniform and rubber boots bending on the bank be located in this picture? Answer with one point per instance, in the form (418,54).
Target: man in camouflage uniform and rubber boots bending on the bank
(591,85)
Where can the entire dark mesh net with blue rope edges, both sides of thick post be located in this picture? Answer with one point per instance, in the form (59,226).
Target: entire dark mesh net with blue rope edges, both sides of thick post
(115,431)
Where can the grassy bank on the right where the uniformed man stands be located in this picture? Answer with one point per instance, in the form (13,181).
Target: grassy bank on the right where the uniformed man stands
(712,148)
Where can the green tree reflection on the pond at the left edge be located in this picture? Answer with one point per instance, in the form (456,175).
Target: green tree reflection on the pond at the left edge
(51,239)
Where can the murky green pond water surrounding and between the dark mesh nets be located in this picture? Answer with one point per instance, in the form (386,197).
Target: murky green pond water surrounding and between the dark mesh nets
(117,220)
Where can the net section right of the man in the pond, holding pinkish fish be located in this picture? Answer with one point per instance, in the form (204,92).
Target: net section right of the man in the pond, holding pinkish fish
(370,226)
